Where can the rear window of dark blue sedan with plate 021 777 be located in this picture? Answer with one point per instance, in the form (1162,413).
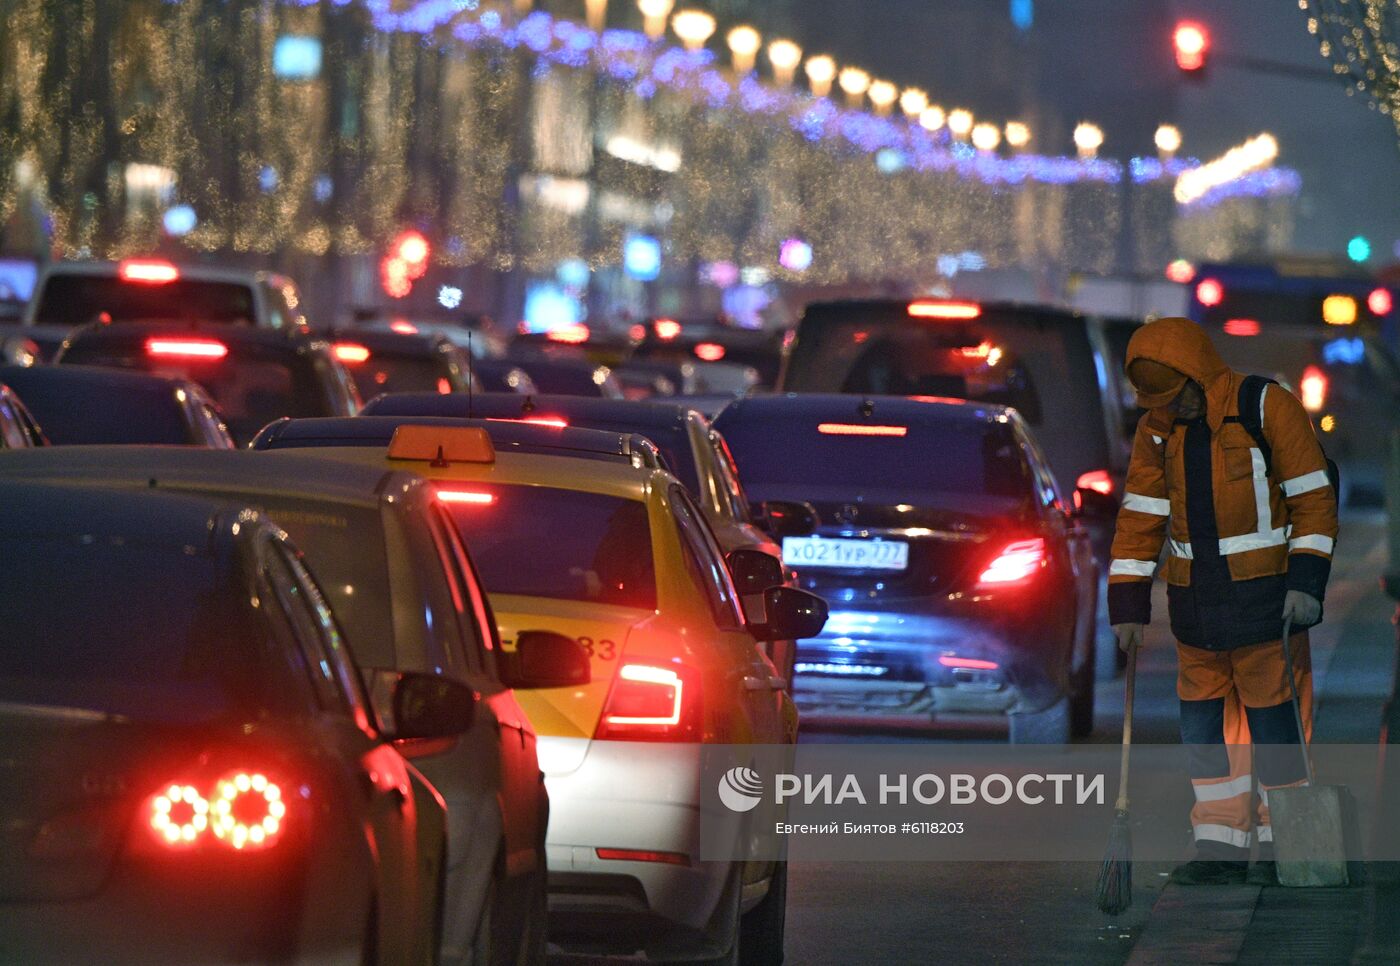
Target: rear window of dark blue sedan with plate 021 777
(964,458)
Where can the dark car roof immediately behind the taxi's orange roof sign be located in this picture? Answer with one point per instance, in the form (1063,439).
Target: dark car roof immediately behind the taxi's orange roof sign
(506,436)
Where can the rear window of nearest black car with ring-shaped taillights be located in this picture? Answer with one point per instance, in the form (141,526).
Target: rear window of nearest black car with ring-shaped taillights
(127,629)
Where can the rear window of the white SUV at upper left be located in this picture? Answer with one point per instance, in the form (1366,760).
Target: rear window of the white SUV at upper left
(80,299)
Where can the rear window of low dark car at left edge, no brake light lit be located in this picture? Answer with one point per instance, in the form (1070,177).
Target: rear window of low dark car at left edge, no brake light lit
(73,415)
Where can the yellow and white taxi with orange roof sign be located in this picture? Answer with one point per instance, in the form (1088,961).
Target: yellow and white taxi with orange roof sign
(573,531)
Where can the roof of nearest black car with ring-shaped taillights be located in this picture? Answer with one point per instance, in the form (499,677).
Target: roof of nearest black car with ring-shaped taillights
(47,510)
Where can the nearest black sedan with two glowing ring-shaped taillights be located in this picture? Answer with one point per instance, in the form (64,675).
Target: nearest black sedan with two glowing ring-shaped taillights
(194,772)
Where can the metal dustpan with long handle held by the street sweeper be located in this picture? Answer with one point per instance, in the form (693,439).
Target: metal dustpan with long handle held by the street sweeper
(1310,821)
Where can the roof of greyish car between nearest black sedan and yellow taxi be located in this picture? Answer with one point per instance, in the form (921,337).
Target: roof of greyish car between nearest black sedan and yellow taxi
(285,474)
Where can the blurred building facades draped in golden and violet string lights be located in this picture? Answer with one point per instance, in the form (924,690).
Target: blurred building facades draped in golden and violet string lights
(558,173)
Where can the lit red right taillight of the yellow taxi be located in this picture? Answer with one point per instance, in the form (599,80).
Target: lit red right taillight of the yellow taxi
(652,703)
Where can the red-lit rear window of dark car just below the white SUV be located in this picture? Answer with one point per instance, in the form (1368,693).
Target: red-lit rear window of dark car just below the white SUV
(253,386)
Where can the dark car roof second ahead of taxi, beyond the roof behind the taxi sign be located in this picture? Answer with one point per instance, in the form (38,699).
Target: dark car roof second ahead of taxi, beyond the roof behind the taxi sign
(642,415)
